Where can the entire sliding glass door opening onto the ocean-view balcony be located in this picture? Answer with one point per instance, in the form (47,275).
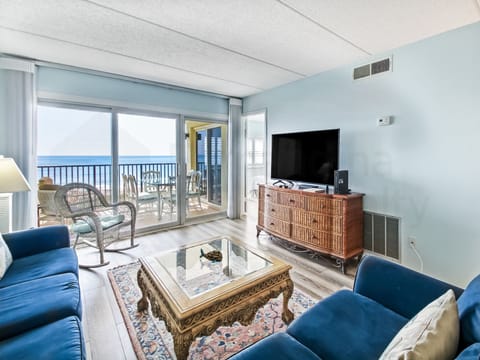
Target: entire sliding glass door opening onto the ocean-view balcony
(137,157)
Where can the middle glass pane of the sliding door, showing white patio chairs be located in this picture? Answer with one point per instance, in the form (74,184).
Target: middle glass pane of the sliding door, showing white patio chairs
(147,163)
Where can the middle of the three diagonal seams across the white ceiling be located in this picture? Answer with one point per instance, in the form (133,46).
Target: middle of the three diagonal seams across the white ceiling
(195,38)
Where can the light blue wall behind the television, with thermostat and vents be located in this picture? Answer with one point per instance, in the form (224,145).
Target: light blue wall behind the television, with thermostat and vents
(424,168)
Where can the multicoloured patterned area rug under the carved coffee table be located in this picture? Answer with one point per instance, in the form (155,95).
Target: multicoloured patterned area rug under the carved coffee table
(151,340)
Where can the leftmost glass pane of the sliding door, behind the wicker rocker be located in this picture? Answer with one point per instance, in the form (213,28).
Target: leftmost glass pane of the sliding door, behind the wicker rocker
(74,145)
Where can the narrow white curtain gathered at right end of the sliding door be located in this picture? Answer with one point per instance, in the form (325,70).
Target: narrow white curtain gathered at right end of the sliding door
(234,209)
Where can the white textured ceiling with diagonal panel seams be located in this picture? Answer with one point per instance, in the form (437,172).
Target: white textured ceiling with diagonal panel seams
(231,47)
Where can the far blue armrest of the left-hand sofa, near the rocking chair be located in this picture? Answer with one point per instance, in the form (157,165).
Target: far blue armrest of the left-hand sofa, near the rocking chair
(33,241)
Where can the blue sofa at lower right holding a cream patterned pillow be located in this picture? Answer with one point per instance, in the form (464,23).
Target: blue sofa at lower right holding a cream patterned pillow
(359,324)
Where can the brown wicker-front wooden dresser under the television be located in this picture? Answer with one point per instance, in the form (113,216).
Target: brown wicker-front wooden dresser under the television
(326,223)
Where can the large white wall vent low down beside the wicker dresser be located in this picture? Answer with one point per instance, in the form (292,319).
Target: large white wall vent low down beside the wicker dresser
(381,234)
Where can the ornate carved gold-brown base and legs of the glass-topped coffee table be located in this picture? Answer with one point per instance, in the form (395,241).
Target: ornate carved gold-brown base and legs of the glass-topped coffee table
(237,304)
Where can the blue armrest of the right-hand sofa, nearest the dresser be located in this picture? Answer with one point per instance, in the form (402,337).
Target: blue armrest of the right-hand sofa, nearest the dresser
(396,287)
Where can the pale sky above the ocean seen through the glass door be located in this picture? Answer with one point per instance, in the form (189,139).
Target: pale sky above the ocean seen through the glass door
(64,131)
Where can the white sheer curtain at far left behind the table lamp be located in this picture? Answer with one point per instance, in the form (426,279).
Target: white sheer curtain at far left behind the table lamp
(18,132)
